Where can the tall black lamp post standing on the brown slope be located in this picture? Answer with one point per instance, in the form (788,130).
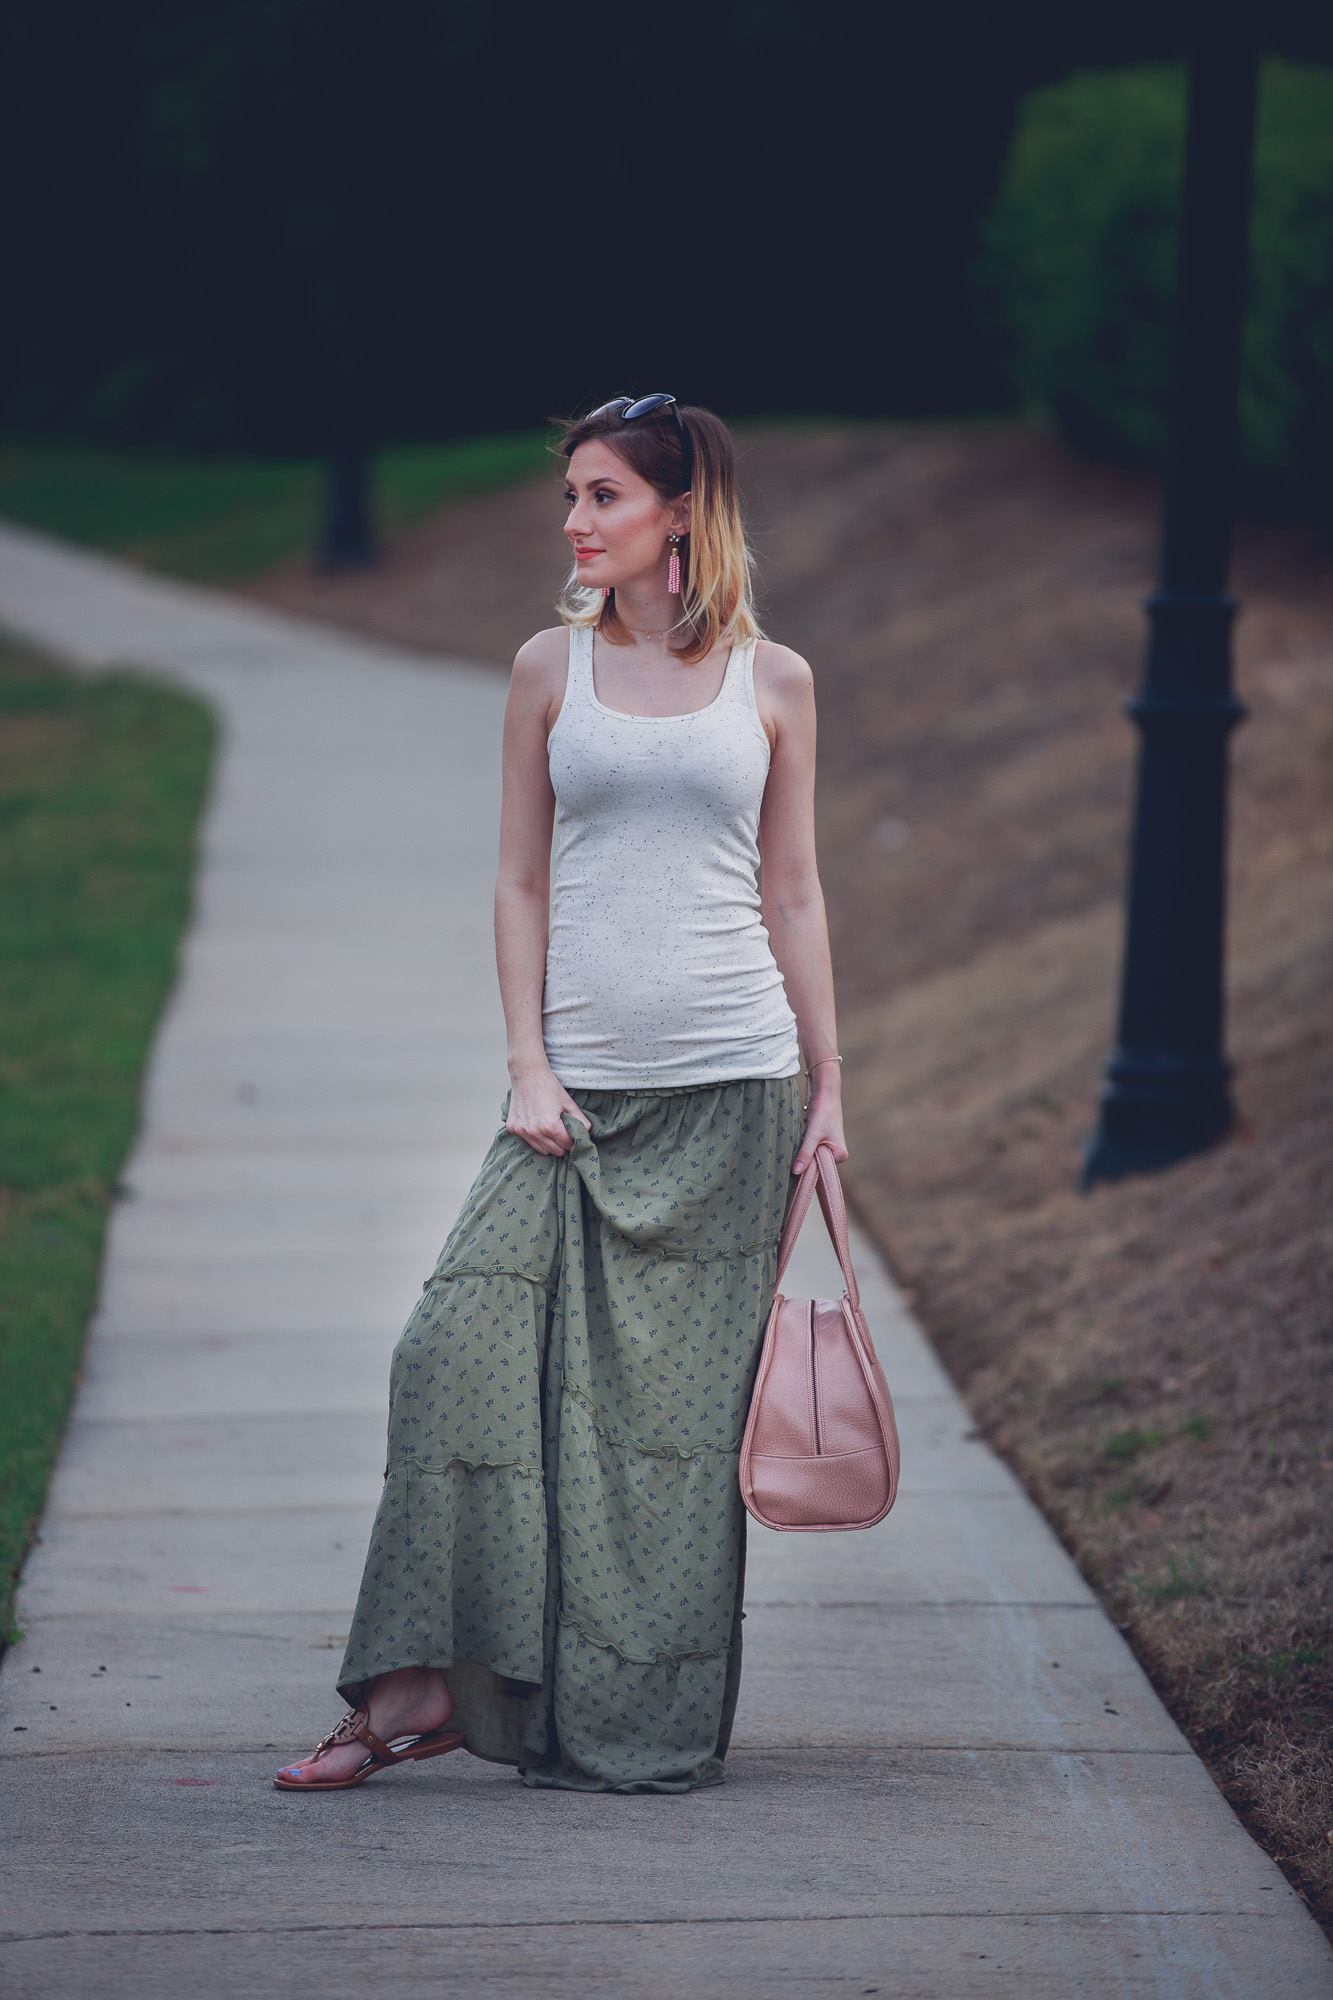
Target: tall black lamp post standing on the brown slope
(1168,1089)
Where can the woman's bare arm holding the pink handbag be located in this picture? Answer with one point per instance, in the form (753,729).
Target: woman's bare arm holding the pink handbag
(794,903)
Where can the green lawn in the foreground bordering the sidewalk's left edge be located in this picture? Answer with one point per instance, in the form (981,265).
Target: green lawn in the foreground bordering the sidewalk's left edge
(101,787)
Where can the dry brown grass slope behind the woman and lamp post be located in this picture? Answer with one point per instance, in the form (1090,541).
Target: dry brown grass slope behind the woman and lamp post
(1152,1359)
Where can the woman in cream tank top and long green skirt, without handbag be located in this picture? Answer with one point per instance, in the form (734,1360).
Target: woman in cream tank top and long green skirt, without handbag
(557,1563)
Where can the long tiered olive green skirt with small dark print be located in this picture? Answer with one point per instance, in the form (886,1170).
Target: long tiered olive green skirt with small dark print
(561,1527)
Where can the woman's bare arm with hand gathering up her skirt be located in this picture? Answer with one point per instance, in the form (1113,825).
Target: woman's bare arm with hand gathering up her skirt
(523,893)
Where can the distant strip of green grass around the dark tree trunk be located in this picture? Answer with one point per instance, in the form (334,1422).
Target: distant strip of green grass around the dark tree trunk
(225,519)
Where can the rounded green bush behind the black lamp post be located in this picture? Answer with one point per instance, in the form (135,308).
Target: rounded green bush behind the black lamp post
(1080,267)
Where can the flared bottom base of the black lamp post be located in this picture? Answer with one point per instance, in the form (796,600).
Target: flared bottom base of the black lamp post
(1154,1113)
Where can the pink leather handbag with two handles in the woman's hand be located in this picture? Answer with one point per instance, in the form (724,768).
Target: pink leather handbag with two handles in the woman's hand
(822,1447)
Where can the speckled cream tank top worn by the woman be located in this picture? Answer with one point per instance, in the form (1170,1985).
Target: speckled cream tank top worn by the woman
(659,969)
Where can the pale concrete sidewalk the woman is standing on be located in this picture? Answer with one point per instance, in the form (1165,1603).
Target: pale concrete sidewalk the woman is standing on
(950,1775)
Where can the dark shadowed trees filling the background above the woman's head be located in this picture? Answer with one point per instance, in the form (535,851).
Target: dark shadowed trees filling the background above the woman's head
(273,225)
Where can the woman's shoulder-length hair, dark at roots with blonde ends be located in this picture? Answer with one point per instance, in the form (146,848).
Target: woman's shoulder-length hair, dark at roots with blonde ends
(696,457)
